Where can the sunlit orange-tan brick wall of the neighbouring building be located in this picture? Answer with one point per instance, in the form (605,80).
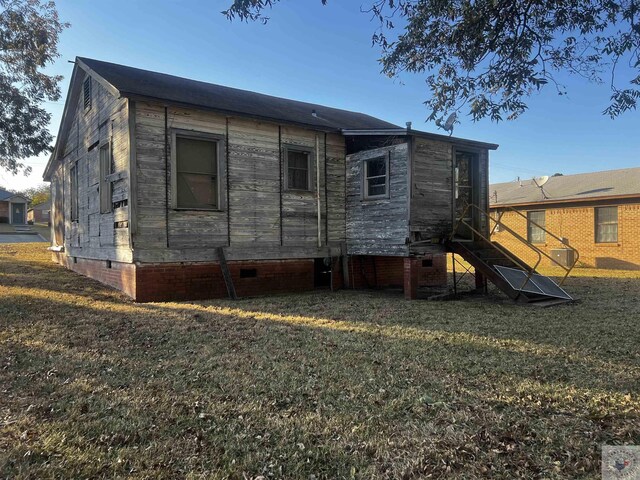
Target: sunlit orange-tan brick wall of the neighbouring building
(577,224)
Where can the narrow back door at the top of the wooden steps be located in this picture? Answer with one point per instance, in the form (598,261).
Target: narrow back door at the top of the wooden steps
(464,194)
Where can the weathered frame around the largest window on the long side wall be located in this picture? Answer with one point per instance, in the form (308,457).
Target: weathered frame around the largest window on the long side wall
(221,167)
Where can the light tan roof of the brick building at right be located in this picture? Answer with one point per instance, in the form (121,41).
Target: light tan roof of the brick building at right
(568,188)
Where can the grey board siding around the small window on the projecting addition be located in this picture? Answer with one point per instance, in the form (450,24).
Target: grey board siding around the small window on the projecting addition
(378,226)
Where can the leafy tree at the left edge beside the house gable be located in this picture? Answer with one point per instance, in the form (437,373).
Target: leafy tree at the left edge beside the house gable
(29,31)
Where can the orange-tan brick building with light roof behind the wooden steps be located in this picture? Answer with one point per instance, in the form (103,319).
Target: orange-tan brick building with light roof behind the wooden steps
(597,213)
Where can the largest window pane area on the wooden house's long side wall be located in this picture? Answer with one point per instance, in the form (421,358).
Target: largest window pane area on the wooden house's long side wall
(196,173)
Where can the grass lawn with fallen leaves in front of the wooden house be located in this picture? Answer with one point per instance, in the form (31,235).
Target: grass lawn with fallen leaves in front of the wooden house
(352,384)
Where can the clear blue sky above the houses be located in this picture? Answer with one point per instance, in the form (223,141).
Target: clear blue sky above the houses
(324,55)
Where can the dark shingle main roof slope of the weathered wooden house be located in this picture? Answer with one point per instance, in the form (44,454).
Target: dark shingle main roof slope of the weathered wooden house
(131,81)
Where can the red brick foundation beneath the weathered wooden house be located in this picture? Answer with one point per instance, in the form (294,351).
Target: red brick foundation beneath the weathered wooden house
(199,281)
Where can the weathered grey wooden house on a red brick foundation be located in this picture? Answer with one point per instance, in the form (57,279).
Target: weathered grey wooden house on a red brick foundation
(169,188)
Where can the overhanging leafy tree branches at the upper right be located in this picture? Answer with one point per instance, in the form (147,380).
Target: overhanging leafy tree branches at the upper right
(486,57)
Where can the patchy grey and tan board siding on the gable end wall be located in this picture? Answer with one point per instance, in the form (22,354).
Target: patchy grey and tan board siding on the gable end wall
(94,234)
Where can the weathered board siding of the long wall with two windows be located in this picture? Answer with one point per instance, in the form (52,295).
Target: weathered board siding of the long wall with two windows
(258,221)
